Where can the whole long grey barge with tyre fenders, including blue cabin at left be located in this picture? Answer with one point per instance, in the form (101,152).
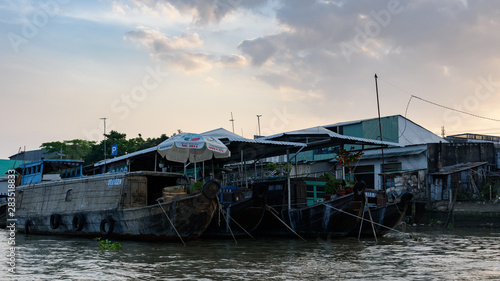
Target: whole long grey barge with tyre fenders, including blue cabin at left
(127,205)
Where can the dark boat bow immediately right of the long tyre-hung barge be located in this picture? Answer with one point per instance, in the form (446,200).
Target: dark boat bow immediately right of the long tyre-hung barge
(239,212)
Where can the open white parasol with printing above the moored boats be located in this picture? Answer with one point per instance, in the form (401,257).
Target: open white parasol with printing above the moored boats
(193,147)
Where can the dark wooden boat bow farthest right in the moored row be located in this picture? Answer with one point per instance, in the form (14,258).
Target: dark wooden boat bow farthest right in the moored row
(384,215)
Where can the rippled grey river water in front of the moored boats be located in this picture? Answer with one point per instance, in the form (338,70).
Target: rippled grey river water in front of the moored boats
(429,254)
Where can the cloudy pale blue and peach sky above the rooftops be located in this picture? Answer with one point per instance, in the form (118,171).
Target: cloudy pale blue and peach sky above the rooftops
(154,67)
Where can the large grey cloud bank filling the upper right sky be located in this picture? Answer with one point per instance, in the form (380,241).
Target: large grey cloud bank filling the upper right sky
(384,36)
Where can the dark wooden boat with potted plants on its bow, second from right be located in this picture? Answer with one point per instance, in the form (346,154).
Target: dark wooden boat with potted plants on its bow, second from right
(333,218)
